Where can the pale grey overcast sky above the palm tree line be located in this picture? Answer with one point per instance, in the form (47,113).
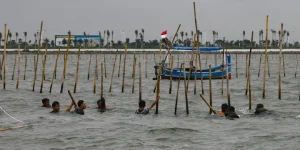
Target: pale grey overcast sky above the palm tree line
(228,17)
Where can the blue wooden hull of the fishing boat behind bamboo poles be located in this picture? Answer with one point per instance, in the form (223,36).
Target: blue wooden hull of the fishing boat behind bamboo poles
(217,72)
